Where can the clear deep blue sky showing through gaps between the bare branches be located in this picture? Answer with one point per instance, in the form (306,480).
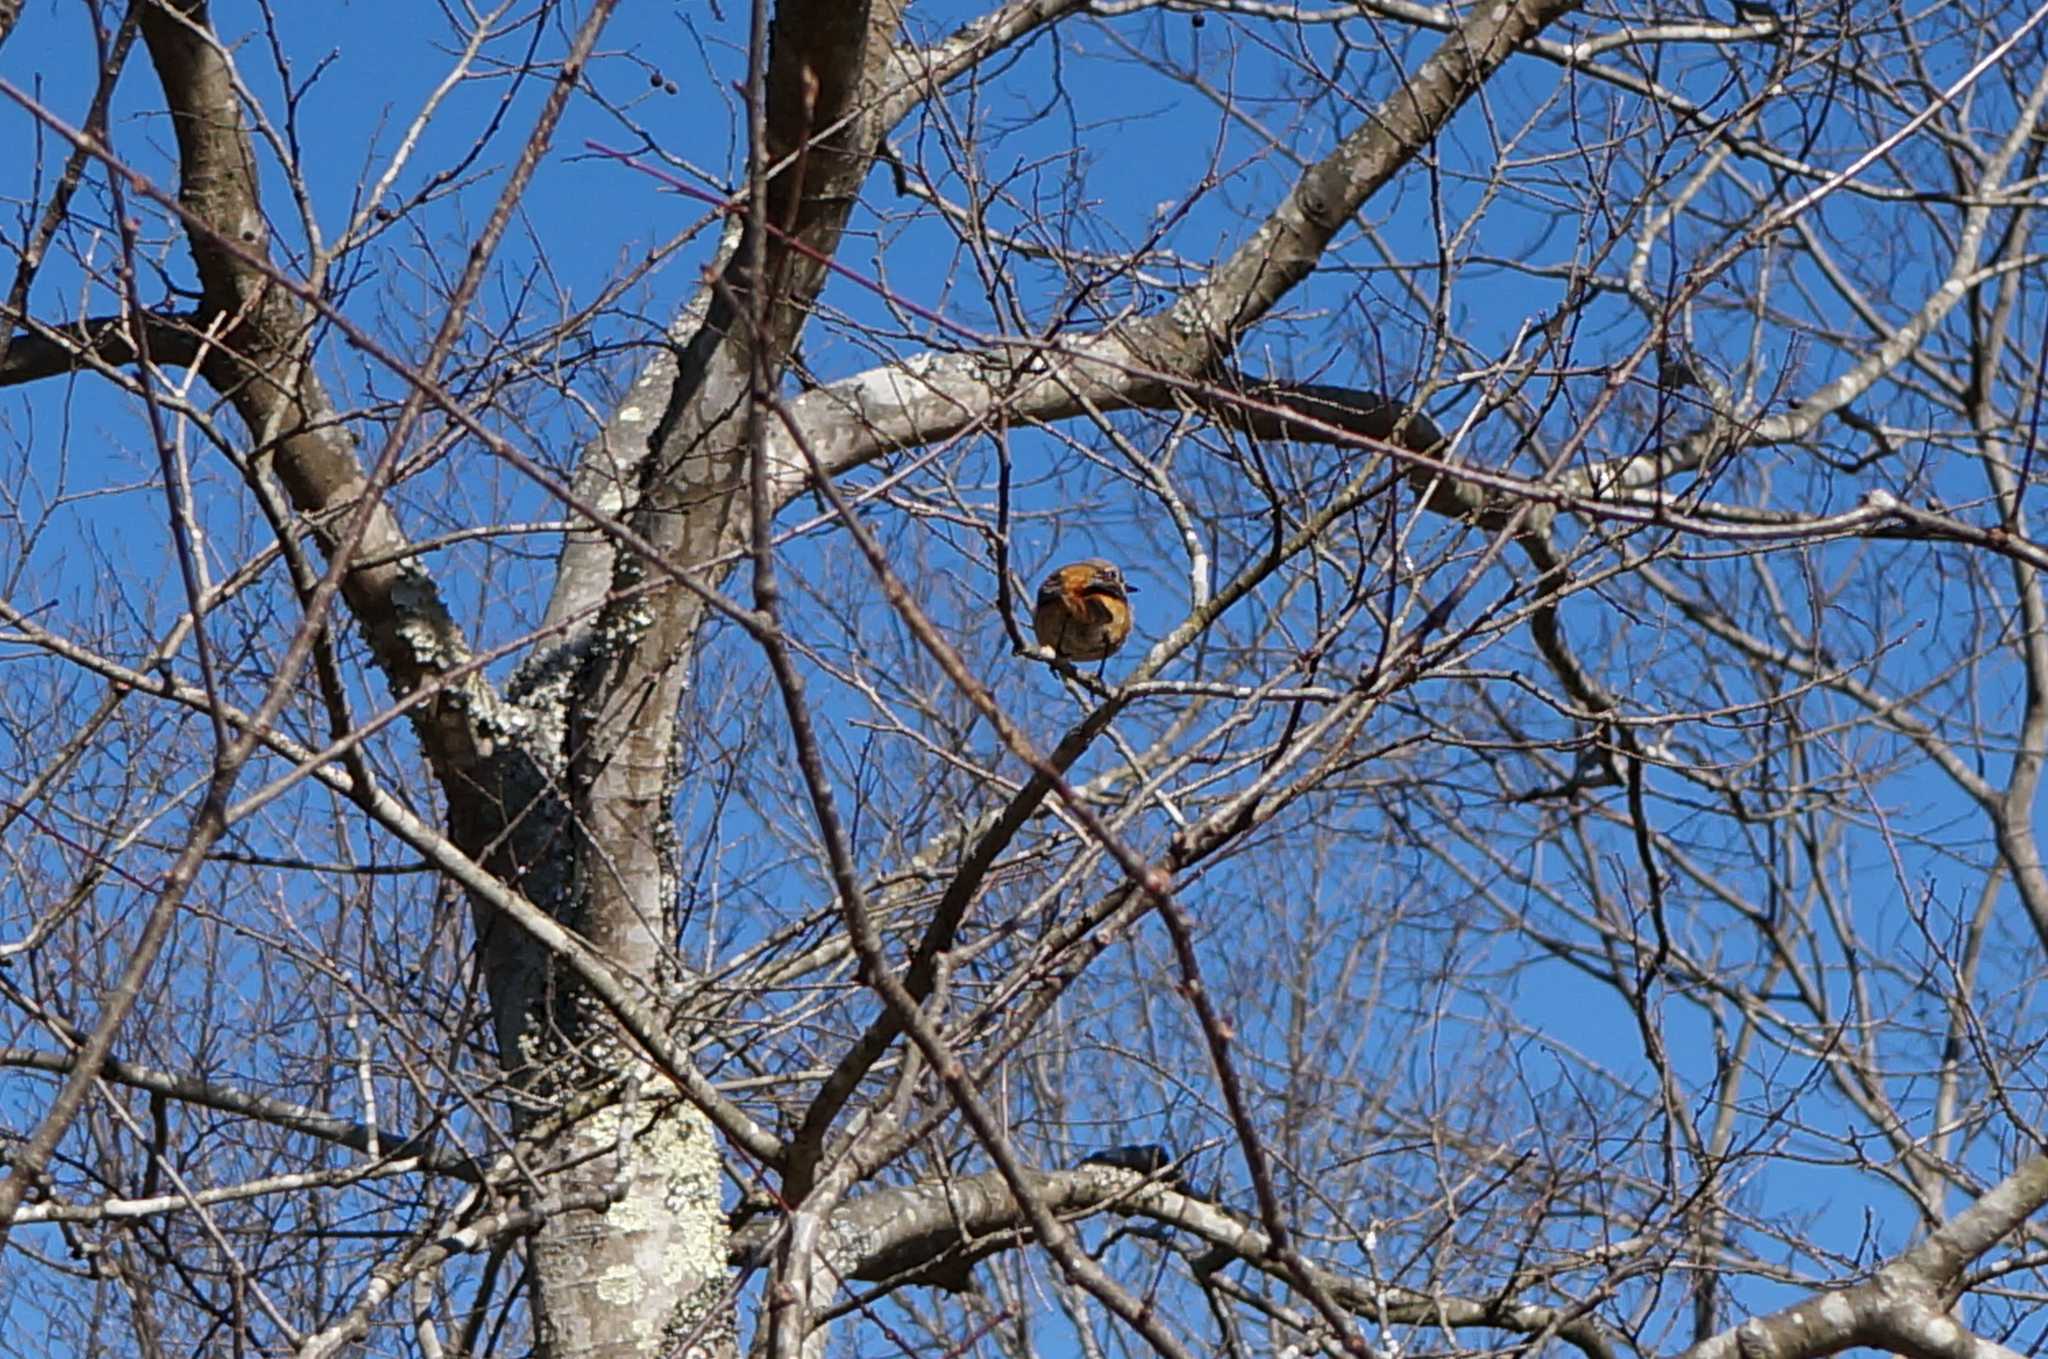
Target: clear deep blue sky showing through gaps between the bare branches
(1078,140)
